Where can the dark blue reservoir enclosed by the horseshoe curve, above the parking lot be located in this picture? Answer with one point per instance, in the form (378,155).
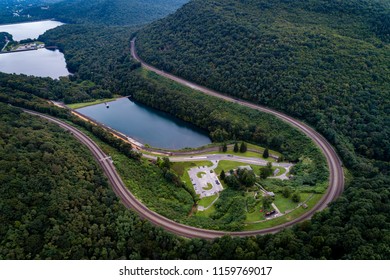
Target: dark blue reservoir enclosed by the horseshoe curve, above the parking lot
(147,125)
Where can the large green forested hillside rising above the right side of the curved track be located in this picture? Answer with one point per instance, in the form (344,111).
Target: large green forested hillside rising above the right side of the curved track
(326,62)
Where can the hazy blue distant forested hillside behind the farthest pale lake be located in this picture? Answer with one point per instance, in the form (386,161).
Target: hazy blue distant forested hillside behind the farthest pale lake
(108,12)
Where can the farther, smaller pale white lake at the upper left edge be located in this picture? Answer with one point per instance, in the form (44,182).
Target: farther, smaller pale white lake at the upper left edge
(32,30)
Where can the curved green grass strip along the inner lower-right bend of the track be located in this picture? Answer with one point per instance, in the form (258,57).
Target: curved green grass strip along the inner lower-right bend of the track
(286,218)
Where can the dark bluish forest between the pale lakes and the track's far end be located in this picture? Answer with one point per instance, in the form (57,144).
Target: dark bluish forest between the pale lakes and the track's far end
(99,54)
